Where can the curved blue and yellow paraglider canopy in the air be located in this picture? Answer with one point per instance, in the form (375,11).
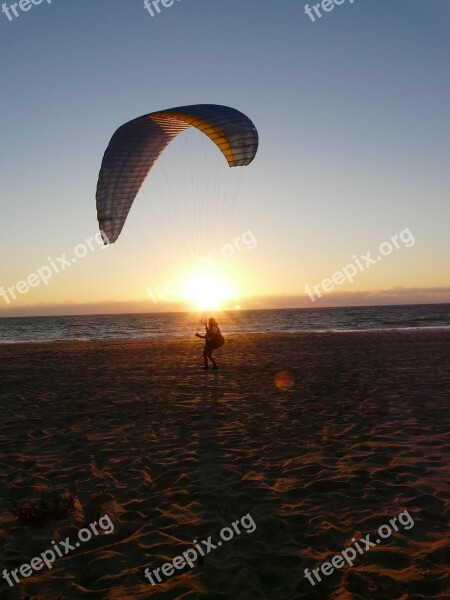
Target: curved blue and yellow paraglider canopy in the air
(137,145)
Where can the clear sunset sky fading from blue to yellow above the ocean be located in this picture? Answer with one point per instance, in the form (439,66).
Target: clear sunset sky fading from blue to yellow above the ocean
(353,118)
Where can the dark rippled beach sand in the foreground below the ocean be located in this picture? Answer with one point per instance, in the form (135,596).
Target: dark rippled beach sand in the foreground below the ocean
(353,433)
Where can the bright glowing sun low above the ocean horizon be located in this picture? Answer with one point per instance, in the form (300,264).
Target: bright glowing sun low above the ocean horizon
(208,291)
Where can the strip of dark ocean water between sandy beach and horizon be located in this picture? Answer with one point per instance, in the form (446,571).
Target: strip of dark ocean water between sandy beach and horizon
(184,325)
